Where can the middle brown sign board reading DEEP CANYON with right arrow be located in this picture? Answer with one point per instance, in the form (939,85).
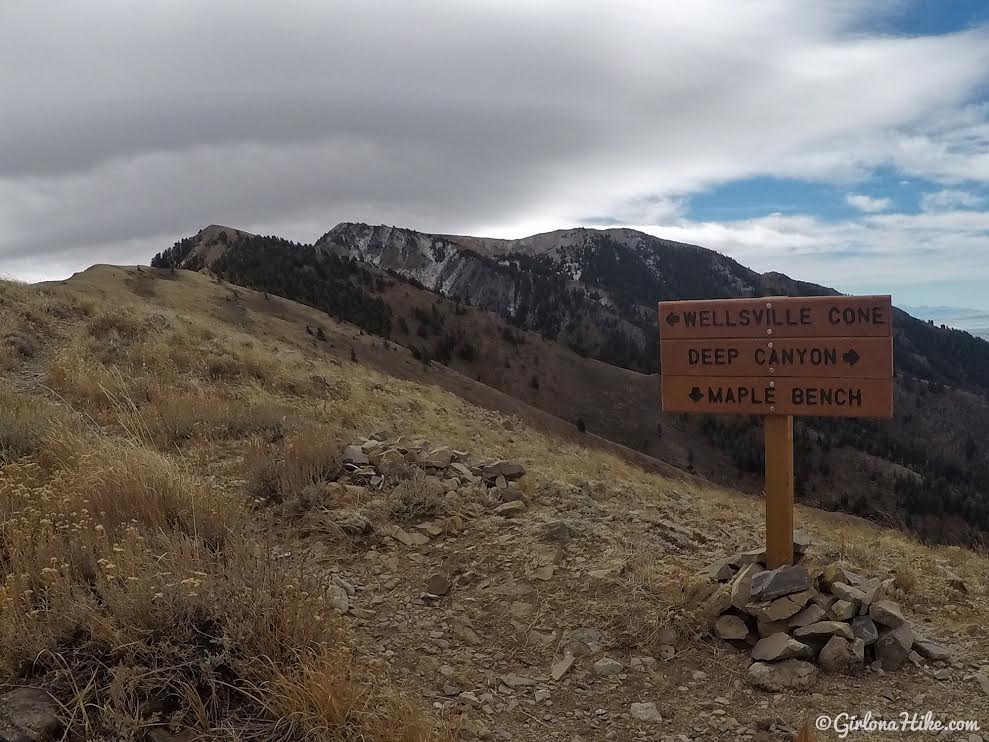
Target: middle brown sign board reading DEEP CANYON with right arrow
(859,358)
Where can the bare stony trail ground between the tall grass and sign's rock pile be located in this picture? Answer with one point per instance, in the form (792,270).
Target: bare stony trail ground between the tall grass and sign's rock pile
(526,611)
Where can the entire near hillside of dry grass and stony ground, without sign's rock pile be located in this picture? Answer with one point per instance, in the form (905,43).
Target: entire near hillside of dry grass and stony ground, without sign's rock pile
(211,424)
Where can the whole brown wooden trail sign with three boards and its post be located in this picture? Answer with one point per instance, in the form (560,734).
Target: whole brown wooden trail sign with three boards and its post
(824,356)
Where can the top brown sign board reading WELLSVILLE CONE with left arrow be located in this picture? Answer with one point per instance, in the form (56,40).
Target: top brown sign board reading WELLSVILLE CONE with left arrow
(802,317)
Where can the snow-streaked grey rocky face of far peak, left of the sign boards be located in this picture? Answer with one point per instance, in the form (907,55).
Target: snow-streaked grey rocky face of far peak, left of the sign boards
(594,290)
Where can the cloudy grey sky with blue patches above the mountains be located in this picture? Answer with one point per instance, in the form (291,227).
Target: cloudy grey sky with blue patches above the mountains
(842,142)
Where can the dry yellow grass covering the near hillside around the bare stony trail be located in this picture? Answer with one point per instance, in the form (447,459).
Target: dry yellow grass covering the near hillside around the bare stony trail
(140,441)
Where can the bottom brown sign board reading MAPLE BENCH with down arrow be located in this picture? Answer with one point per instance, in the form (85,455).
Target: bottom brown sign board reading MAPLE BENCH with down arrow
(756,395)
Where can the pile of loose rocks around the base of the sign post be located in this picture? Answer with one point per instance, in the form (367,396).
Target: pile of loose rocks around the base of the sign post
(798,620)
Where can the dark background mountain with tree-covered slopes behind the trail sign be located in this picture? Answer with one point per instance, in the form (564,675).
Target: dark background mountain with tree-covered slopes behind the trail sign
(586,289)
